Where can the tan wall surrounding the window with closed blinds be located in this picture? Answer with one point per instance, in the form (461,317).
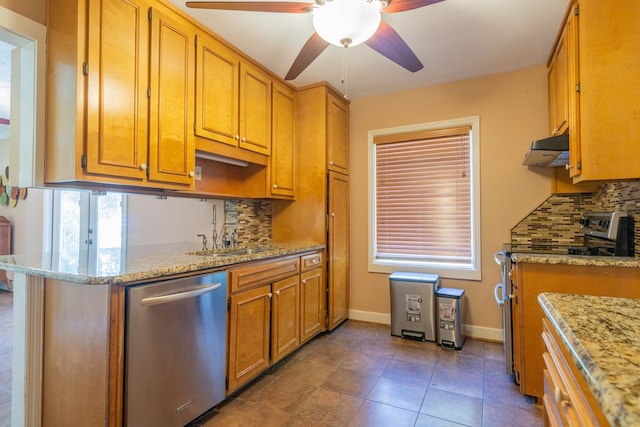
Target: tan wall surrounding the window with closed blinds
(513,111)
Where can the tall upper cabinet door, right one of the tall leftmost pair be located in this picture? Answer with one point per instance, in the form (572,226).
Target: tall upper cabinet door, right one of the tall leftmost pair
(171,139)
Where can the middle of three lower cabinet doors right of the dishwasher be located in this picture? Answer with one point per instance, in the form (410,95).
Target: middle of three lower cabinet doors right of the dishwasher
(285,330)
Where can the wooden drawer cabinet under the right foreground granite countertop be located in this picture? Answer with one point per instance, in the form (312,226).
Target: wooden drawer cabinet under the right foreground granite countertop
(567,400)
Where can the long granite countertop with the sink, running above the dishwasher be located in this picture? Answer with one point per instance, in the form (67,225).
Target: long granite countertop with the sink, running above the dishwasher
(146,263)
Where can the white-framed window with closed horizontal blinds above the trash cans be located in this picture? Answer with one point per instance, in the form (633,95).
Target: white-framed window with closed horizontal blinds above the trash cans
(424,199)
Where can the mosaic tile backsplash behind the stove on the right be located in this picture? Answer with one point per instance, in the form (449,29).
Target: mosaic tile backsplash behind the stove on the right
(554,225)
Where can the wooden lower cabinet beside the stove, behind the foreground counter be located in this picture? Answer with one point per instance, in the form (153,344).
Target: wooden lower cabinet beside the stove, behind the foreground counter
(530,280)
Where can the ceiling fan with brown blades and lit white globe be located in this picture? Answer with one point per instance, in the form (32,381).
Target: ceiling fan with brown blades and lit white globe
(339,22)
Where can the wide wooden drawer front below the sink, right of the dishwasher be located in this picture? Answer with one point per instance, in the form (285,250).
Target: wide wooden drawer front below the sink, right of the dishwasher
(262,272)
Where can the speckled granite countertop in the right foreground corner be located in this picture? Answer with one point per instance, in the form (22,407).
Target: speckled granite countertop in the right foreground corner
(602,335)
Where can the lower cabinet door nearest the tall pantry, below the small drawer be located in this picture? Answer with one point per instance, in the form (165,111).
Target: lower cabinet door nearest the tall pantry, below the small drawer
(312,297)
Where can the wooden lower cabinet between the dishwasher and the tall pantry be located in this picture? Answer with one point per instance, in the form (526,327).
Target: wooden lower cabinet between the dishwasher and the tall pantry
(273,308)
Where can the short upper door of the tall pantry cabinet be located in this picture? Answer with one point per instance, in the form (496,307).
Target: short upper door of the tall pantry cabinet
(337,135)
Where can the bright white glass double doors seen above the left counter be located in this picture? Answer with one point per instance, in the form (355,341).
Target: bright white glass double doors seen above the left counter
(88,232)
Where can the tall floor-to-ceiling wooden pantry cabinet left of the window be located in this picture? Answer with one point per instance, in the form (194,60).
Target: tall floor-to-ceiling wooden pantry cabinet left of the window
(320,212)
